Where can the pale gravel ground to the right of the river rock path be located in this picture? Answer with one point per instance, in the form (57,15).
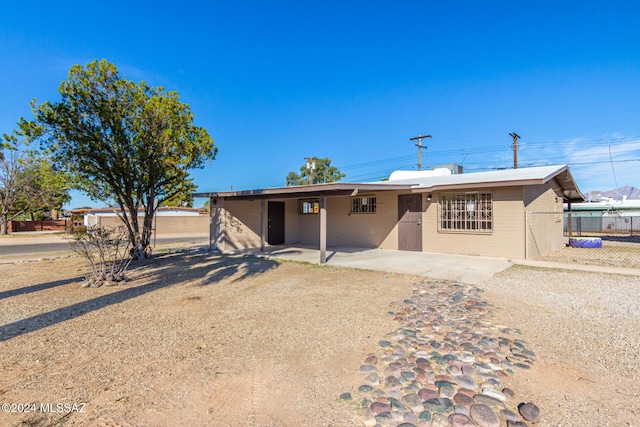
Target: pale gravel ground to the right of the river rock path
(586,332)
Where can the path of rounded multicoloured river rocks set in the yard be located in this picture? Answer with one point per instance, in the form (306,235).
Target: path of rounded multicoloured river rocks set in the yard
(445,365)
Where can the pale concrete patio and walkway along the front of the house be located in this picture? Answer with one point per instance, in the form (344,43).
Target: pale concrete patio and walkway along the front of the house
(462,268)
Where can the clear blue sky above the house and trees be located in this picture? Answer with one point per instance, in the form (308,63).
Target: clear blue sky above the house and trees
(274,82)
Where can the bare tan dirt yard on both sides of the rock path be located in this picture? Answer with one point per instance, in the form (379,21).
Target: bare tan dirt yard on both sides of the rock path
(201,340)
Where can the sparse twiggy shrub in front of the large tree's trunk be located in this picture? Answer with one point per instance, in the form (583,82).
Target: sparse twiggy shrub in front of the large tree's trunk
(107,251)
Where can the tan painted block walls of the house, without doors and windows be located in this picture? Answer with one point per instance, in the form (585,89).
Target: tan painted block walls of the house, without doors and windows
(237,224)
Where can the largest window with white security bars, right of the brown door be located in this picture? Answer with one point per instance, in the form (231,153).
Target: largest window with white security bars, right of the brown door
(471,212)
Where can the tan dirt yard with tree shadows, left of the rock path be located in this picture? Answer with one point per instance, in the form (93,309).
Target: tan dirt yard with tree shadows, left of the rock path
(193,340)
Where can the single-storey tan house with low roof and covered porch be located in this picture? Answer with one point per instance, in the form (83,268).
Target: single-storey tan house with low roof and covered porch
(483,213)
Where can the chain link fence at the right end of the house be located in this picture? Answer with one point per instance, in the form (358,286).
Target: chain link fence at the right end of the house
(550,236)
